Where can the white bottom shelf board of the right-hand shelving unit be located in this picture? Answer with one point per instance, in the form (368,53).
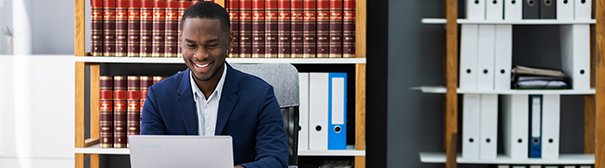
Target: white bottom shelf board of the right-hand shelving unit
(571,159)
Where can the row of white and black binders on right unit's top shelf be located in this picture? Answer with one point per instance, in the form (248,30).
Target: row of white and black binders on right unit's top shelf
(493,10)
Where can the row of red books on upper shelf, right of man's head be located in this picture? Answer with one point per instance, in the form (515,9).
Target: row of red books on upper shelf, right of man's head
(292,28)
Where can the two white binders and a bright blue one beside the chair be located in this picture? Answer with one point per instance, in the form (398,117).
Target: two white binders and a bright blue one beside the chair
(323,111)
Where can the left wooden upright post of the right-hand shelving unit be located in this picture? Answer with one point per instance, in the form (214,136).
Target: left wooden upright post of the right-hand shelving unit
(451,102)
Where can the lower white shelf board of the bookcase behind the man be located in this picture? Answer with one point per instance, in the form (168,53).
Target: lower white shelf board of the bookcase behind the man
(96,149)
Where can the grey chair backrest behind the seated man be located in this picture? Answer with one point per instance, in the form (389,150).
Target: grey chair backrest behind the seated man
(284,79)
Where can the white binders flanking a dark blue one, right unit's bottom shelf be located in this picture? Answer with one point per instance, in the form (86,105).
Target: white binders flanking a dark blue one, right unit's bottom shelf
(531,126)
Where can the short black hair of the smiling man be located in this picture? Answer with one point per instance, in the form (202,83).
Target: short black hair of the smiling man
(208,10)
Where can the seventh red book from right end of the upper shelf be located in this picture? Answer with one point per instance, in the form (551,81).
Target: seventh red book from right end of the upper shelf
(271,28)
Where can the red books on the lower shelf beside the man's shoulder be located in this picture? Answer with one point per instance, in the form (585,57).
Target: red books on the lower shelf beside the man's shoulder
(121,102)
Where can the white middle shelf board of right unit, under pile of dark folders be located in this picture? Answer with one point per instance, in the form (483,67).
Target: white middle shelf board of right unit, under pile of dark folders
(443,90)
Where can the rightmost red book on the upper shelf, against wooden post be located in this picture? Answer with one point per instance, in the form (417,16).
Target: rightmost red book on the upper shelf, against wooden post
(348,47)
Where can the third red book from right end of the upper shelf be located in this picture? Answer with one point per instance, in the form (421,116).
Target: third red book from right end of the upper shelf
(323,28)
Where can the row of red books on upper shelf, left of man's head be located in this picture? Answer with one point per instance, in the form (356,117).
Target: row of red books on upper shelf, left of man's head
(136,28)
